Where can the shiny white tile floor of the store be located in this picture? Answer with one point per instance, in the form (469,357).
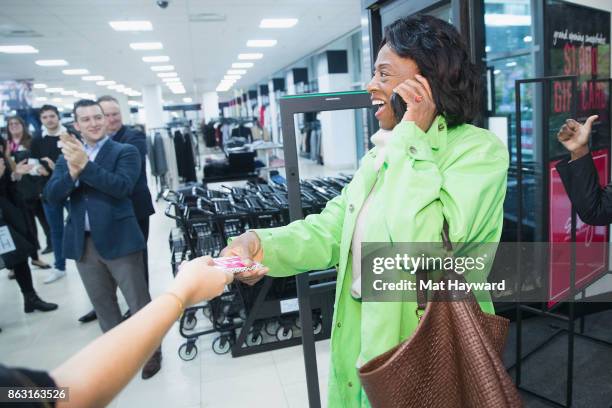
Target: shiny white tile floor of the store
(42,341)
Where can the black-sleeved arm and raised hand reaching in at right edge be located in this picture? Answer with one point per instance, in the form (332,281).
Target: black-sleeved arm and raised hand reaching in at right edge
(592,202)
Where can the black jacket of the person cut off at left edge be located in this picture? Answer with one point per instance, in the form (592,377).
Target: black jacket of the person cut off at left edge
(12,214)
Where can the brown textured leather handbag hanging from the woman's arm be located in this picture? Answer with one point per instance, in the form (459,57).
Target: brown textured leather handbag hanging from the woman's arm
(451,361)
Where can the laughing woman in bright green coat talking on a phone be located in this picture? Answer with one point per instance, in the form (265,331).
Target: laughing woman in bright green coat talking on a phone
(430,166)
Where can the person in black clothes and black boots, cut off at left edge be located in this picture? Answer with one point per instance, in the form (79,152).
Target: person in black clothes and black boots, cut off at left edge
(12,216)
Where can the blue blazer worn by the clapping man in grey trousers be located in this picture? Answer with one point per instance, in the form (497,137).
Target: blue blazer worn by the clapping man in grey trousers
(104,190)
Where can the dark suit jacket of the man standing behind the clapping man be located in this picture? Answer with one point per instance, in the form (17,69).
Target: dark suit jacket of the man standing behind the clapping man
(141,197)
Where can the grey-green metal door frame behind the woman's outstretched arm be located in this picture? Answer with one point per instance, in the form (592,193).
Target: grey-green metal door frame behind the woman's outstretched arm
(289,106)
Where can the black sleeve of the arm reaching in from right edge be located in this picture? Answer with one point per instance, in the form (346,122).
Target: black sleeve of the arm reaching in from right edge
(581,181)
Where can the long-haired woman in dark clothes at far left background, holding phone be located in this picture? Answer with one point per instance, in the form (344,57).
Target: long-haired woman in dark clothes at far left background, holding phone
(29,182)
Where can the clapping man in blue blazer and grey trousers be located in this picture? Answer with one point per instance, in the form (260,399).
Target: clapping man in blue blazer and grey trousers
(102,234)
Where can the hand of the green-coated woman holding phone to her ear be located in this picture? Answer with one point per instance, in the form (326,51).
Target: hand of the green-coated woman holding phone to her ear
(421,108)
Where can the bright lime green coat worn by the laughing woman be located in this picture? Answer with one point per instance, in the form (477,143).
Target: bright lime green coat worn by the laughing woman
(458,174)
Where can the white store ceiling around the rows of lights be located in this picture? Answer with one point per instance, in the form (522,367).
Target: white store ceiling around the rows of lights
(201,51)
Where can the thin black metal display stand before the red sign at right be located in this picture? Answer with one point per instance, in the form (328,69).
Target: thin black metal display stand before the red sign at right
(570,319)
